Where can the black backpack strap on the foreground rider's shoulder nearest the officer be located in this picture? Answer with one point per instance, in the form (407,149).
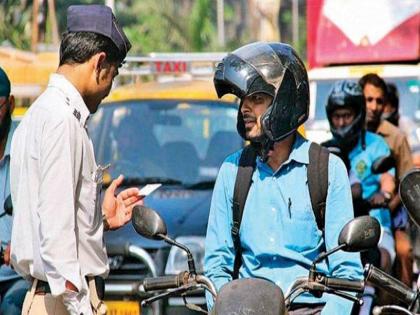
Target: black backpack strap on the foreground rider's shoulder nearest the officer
(242,184)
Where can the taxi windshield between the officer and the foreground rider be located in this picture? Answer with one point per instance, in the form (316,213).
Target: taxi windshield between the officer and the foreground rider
(179,141)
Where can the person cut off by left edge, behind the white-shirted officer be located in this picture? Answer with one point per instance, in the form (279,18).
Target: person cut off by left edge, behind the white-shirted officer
(12,287)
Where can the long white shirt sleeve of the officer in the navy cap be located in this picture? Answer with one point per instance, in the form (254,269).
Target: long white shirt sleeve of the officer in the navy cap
(59,166)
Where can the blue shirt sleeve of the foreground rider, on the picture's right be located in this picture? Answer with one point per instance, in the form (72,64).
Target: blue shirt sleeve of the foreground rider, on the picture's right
(339,211)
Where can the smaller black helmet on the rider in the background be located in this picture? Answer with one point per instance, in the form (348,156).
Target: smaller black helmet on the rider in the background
(347,94)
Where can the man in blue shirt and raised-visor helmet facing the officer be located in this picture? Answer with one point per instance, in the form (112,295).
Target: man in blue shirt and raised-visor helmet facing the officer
(279,236)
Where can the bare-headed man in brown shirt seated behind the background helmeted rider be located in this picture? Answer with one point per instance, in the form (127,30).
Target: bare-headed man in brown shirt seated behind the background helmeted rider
(375,93)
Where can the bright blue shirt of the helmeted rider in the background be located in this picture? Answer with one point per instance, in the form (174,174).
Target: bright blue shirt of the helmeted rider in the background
(361,162)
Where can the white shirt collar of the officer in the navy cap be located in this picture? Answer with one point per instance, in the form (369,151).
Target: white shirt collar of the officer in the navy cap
(73,97)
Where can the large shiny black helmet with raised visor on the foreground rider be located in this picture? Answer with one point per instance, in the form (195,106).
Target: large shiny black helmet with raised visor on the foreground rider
(274,69)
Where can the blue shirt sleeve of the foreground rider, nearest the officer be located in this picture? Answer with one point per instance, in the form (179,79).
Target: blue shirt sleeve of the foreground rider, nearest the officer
(219,251)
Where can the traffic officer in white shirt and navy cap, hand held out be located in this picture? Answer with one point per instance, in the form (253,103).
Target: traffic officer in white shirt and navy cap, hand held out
(58,222)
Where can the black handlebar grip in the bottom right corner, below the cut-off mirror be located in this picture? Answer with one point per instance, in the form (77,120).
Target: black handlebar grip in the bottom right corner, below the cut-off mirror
(391,285)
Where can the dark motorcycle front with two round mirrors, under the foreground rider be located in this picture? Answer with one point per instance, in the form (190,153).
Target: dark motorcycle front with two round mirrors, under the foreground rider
(253,296)
